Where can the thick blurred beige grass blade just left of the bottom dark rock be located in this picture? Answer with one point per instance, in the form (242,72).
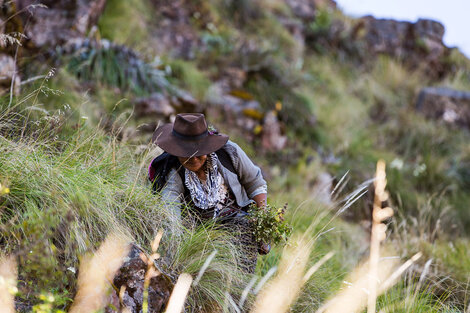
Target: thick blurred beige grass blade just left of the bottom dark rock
(96,273)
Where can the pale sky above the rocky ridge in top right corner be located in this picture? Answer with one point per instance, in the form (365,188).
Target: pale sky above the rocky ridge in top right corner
(454,14)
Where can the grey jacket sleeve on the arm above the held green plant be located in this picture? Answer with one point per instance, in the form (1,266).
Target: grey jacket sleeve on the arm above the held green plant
(248,173)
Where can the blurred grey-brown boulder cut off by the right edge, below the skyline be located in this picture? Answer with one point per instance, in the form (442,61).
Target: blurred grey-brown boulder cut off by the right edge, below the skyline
(451,106)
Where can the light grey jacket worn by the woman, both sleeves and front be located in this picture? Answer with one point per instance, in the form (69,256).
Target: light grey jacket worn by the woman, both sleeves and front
(248,183)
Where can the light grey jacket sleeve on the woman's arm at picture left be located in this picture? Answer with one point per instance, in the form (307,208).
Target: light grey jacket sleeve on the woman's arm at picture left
(173,192)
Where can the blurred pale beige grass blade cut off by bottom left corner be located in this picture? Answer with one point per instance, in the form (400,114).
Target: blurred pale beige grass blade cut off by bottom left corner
(8,275)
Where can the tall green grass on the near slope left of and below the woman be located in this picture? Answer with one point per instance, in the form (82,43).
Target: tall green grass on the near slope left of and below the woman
(67,193)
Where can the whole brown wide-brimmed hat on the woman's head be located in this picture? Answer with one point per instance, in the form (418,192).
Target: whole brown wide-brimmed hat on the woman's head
(188,136)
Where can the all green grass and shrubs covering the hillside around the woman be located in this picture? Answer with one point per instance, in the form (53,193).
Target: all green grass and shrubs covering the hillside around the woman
(70,174)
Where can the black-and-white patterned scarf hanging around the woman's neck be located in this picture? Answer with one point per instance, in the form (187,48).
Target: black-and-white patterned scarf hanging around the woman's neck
(206,195)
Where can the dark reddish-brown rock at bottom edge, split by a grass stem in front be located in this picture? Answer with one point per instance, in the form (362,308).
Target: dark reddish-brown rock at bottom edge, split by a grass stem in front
(128,292)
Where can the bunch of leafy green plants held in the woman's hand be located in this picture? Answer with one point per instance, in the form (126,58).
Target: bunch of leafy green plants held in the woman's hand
(269,224)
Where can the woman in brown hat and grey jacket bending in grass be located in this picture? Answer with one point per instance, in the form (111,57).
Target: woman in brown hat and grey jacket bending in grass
(212,175)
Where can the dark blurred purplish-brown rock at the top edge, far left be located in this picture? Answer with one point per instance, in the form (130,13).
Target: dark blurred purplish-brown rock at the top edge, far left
(56,22)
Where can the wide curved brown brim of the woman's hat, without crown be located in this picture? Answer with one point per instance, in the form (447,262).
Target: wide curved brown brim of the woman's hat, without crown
(180,147)
